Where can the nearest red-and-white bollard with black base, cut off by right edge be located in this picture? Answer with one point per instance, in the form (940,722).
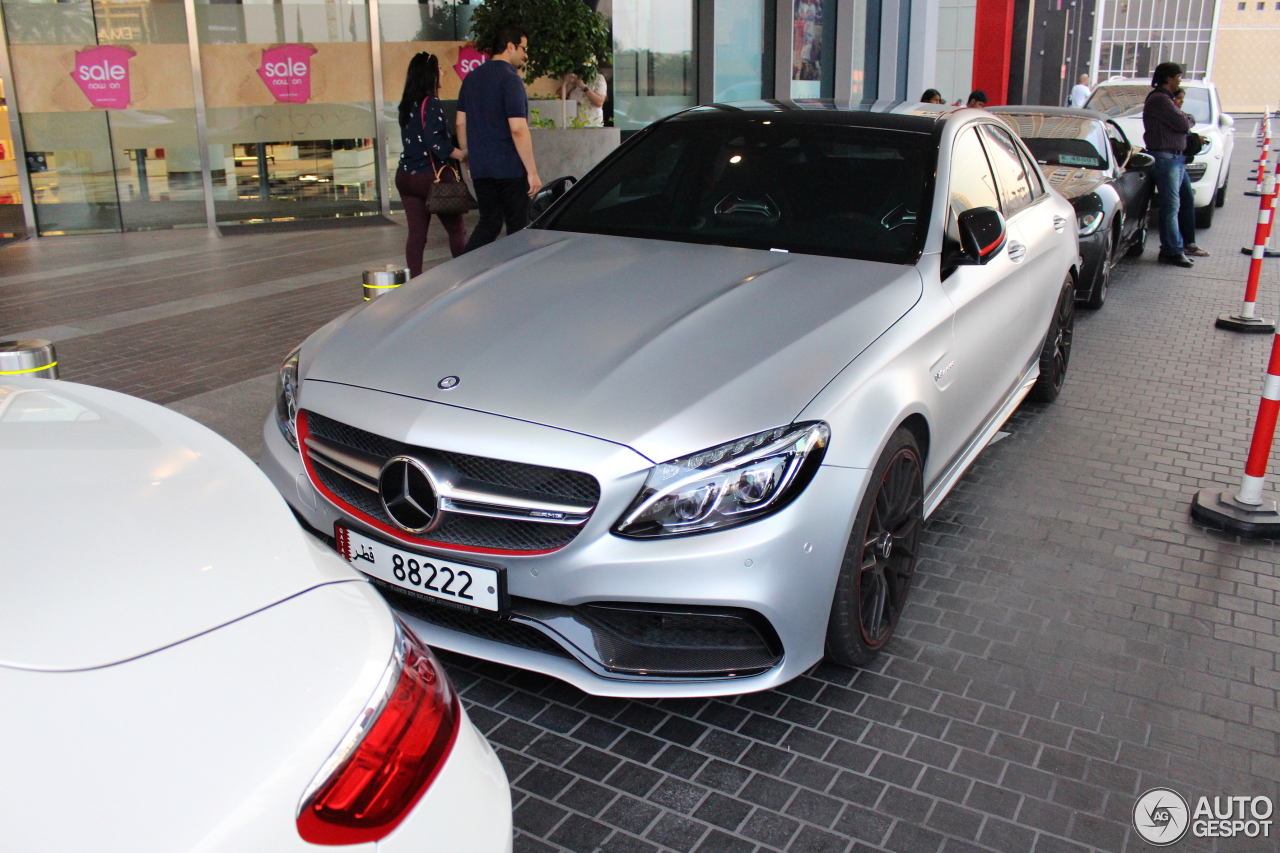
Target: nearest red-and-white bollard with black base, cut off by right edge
(1250,513)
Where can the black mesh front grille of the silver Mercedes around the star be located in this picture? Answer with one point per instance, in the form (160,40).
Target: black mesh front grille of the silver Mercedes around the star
(470,531)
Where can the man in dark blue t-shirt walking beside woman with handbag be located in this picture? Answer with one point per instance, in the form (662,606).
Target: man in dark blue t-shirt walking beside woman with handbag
(493,127)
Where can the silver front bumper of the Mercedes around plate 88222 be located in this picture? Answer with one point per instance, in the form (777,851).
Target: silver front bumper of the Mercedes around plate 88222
(781,568)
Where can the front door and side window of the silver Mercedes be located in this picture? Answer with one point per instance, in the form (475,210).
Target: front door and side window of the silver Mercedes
(990,302)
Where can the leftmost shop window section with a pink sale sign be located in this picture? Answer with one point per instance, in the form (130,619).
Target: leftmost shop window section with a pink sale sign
(108,115)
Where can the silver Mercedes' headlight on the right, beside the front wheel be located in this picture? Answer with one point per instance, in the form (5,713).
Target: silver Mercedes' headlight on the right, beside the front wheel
(726,486)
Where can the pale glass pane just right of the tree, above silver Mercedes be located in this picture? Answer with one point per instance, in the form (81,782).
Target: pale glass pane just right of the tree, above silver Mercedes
(653,76)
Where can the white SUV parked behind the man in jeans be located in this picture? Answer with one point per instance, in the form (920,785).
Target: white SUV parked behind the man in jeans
(1123,98)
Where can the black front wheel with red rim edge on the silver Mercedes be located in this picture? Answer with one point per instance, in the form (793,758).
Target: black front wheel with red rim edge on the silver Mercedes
(880,560)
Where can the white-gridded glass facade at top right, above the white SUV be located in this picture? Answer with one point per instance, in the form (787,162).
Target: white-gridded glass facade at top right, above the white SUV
(1137,35)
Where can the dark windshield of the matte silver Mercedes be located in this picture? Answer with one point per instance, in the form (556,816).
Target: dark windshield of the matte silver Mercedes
(813,189)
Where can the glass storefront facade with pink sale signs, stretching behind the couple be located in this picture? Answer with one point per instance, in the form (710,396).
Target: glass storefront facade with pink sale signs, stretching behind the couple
(138,115)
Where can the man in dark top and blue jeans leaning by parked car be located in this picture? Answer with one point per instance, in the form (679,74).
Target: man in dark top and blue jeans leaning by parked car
(1165,130)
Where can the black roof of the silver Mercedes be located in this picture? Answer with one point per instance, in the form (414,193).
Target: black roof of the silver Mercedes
(895,116)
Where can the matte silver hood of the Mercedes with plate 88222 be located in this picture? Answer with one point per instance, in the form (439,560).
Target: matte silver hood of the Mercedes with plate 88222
(662,346)
